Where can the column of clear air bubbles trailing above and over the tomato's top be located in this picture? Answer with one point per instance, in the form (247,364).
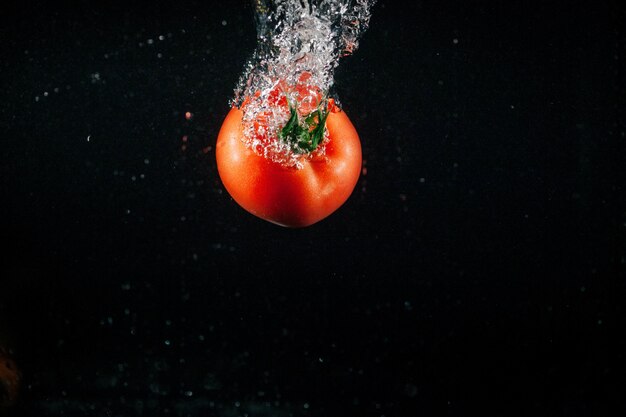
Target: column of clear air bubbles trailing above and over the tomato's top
(300,44)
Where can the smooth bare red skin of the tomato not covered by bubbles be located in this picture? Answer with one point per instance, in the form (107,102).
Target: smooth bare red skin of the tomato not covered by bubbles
(288,196)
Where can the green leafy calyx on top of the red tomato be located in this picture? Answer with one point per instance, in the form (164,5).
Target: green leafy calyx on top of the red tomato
(304,139)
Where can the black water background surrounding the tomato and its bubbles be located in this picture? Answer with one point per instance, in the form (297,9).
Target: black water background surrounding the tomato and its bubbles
(478,268)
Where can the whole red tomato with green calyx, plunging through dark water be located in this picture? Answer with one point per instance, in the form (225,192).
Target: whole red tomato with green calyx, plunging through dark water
(290,156)
